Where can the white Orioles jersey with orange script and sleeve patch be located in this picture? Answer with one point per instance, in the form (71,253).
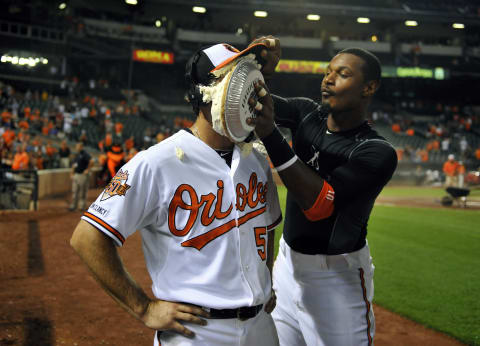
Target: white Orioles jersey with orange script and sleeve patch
(204,225)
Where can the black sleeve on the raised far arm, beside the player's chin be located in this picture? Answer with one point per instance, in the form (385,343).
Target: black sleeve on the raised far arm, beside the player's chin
(289,112)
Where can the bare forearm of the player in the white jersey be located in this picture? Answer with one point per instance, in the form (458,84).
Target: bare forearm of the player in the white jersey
(98,252)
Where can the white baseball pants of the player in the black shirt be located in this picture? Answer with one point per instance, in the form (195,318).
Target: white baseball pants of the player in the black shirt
(324,300)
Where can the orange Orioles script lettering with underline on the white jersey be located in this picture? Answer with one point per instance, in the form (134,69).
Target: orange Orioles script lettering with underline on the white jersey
(209,207)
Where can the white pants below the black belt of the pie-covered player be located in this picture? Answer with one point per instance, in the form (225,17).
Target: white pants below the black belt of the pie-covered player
(259,330)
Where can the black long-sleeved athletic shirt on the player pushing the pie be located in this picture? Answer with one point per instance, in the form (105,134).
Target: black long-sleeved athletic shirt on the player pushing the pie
(357,163)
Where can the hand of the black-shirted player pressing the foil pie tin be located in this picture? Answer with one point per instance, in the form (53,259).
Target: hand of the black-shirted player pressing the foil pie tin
(264,120)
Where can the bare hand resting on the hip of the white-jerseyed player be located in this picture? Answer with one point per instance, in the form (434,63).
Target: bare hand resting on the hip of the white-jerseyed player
(163,315)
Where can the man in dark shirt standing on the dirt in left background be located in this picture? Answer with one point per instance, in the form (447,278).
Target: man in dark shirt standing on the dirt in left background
(80,169)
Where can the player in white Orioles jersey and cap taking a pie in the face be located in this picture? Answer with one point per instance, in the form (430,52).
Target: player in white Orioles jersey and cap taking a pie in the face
(206,209)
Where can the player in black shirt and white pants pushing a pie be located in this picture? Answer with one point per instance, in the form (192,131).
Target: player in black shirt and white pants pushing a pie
(323,274)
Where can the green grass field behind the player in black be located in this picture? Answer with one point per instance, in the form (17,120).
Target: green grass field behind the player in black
(427,263)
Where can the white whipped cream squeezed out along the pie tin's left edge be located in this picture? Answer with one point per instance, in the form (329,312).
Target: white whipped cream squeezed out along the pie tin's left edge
(214,92)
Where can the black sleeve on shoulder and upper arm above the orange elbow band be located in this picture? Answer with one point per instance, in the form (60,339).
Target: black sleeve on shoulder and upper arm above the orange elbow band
(369,168)
